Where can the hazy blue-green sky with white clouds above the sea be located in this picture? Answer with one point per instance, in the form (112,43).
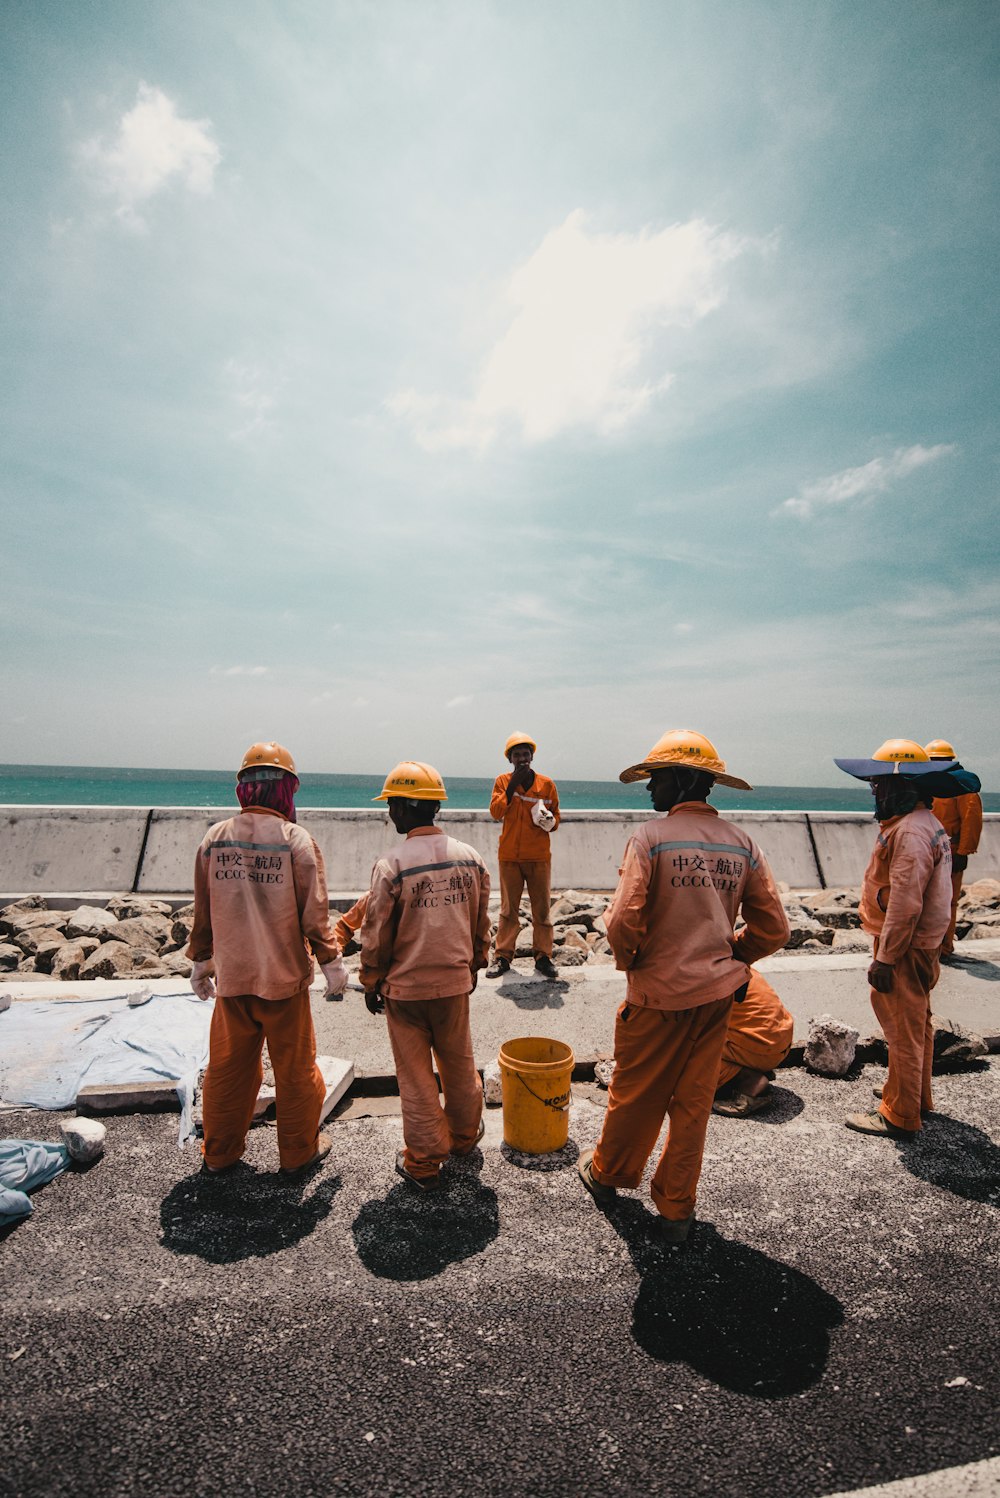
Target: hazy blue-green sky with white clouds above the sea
(388,377)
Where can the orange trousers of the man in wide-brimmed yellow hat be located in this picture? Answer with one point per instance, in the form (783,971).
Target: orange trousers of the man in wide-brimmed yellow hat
(667,1063)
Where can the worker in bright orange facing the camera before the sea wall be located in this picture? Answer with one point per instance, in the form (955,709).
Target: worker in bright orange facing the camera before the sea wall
(528,805)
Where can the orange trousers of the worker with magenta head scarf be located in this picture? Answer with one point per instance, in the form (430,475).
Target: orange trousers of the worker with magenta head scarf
(233,1081)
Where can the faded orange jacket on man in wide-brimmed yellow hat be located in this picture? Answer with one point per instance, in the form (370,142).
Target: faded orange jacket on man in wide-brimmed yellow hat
(670,924)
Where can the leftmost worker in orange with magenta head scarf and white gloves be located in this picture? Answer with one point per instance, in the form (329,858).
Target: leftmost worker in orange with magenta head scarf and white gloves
(260,900)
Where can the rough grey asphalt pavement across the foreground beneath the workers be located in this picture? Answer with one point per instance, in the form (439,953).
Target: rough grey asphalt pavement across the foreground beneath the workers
(832,1325)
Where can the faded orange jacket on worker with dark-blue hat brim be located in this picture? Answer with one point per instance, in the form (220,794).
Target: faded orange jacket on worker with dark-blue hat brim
(906,897)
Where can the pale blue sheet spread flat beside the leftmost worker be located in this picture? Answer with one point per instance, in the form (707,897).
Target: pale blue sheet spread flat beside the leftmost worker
(53,1048)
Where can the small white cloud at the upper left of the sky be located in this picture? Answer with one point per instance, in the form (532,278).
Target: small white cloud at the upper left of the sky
(152,149)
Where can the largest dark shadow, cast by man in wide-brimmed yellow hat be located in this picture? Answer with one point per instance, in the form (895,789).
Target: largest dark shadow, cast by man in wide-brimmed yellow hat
(745,1320)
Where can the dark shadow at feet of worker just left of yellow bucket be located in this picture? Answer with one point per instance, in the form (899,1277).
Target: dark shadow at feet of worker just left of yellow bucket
(409,1235)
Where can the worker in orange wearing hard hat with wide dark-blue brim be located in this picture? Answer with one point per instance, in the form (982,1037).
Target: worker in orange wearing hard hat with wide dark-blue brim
(906,903)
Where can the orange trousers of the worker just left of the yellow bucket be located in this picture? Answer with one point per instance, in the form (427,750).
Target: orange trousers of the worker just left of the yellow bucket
(420,1033)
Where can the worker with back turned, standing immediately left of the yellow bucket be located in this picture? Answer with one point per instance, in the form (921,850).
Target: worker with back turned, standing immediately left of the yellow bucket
(424,938)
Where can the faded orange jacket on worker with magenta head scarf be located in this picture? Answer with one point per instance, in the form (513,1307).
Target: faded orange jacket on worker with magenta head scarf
(260,897)
